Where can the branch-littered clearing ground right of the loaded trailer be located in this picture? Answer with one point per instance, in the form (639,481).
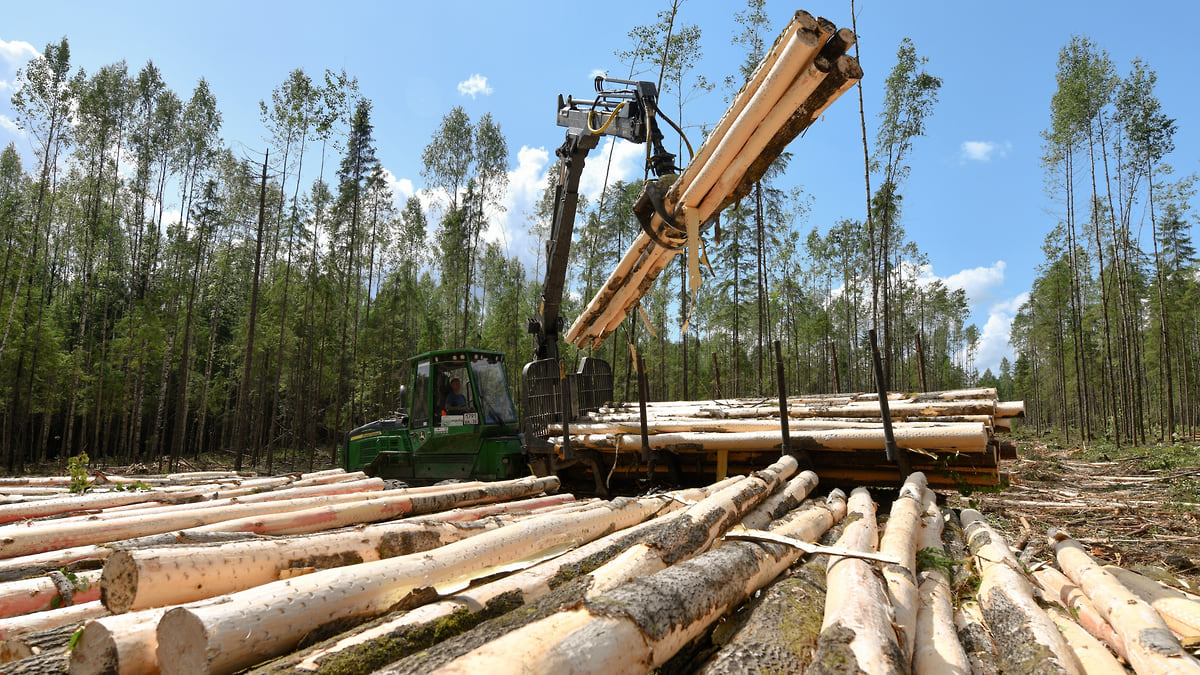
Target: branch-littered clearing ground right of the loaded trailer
(1138,509)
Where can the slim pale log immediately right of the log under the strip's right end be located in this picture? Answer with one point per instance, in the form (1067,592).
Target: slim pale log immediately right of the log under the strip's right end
(901,539)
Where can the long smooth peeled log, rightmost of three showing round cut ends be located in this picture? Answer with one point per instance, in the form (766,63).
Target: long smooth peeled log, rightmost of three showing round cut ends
(209,636)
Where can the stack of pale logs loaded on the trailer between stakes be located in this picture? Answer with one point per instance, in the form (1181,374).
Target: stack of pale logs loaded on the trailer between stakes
(949,435)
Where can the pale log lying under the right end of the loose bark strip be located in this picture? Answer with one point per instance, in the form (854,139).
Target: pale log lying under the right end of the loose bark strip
(857,630)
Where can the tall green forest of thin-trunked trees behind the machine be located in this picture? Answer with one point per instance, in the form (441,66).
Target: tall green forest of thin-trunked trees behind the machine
(279,310)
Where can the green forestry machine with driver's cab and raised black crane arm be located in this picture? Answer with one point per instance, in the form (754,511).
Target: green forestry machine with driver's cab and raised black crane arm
(479,438)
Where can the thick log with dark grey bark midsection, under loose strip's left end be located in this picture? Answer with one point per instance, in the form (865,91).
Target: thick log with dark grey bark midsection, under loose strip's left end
(643,624)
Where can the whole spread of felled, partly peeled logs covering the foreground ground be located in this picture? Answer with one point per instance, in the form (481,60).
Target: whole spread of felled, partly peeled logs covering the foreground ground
(749,575)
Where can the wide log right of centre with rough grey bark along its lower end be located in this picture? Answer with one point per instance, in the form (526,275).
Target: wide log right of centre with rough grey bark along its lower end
(1024,635)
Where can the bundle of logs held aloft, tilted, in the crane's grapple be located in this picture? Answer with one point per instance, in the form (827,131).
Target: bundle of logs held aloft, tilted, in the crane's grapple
(803,74)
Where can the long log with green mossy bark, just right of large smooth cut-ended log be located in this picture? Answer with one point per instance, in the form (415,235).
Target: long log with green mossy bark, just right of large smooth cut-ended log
(539,590)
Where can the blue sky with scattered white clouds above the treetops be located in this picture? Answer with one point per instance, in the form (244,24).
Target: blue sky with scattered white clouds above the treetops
(975,202)
